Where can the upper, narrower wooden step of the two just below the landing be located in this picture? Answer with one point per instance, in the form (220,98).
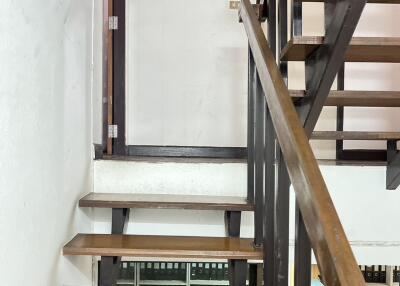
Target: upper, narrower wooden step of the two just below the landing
(196,202)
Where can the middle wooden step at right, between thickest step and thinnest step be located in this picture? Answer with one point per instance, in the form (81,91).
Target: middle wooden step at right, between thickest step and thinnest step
(356,98)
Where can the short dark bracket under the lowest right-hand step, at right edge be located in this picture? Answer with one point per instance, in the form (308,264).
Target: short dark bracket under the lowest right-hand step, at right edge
(393,166)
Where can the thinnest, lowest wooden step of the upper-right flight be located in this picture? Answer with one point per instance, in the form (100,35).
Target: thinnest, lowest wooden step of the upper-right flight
(355,135)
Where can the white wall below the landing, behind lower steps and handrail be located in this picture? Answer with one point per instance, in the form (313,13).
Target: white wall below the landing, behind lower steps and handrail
(367,211)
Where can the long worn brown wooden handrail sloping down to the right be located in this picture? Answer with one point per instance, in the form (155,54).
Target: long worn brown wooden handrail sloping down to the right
(335,258)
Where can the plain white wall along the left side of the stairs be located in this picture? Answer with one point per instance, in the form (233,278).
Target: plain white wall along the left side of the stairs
(45,123)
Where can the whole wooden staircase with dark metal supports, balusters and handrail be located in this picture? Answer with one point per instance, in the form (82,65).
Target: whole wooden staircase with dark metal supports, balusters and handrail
(280,122)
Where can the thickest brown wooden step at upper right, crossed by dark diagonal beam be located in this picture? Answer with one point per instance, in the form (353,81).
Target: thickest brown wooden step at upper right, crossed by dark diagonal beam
(376,49)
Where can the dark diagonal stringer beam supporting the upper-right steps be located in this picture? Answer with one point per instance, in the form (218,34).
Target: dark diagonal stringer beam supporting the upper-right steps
(323,65)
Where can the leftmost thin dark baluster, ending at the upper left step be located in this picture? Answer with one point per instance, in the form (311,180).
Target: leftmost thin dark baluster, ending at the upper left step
(250,130)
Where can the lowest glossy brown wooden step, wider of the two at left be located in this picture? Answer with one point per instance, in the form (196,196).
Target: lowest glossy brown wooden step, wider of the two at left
(162,246)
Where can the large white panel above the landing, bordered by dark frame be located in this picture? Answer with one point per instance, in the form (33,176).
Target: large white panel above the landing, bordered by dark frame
(187,73)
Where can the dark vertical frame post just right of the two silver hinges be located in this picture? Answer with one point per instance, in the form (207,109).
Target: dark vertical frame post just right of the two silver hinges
(119,77)
